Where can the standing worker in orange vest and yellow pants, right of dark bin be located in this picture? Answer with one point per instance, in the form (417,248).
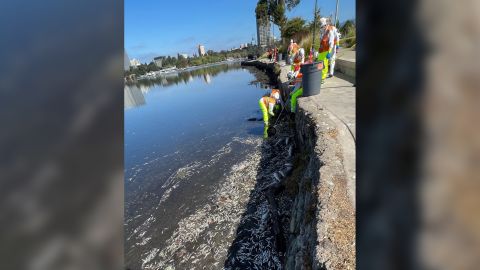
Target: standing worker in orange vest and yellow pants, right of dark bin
(327,45)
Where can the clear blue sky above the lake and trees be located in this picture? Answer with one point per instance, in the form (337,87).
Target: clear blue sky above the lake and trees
(154,28)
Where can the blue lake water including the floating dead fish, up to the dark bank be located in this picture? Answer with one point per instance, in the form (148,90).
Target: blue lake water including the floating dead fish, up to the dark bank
(190,163)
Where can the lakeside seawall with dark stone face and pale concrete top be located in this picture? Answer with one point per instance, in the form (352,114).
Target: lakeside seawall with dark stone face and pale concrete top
(322,224)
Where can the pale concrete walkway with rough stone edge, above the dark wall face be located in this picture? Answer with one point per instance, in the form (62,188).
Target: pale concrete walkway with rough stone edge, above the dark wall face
(331,114)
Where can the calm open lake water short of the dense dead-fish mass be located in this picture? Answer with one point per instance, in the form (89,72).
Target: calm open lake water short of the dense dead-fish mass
(183,134)
